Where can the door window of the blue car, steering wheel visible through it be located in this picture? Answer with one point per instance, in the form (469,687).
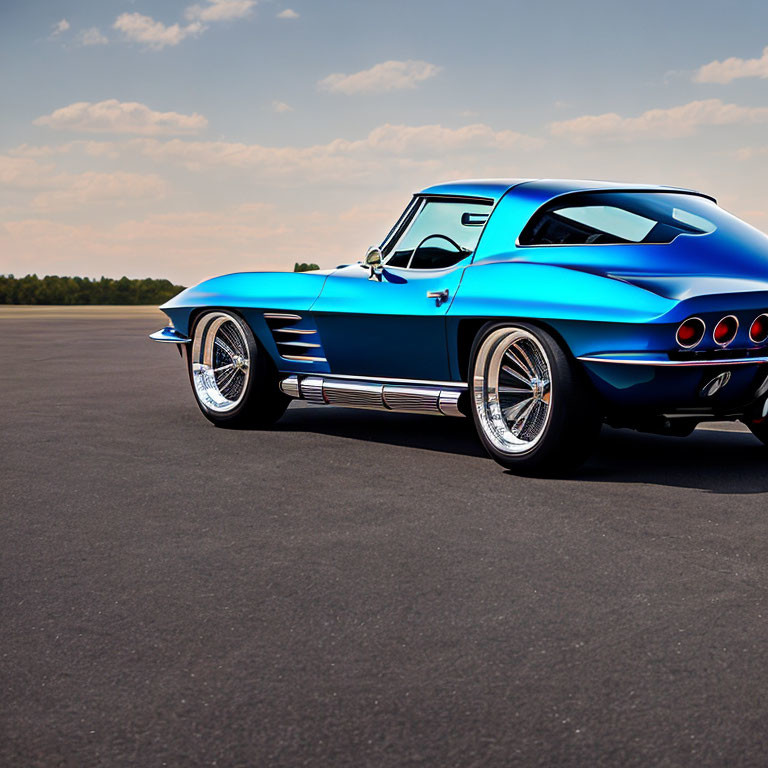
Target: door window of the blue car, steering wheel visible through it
(438,234)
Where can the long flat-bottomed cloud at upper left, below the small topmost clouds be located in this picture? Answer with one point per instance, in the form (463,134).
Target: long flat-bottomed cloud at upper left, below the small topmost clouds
(113,116)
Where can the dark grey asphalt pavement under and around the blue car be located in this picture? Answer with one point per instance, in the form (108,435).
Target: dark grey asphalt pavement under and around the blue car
(354,588)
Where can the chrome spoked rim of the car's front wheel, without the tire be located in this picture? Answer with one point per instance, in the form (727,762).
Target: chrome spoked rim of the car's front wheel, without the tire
(221,363)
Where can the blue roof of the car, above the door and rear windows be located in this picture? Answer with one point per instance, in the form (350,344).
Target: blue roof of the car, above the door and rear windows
(495,189)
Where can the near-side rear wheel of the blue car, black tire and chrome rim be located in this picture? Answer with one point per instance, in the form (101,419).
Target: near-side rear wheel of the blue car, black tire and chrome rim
(563,422)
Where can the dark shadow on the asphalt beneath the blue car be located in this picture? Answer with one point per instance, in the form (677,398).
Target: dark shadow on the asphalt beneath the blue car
(708,460)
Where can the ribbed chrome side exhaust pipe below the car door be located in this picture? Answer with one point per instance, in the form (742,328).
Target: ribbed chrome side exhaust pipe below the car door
(402,397)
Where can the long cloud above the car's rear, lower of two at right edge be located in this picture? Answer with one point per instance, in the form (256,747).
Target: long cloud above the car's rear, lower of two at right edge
(675,122)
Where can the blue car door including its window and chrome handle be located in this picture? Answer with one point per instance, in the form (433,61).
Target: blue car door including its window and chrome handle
(392,324)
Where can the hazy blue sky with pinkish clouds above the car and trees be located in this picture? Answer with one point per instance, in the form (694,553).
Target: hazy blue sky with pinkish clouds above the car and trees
(184,139)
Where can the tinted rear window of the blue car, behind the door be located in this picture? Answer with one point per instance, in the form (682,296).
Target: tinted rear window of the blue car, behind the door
(601,218)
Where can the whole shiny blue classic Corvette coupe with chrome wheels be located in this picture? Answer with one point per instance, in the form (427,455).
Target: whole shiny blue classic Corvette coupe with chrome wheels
(540,308)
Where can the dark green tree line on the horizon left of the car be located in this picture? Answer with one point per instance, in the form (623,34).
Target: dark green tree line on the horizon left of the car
(53,289)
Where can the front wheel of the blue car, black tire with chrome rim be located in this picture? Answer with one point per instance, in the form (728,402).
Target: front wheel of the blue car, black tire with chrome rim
(259,403)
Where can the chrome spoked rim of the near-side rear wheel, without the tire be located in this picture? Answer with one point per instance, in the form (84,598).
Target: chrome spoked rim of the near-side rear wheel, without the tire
(512,390)
